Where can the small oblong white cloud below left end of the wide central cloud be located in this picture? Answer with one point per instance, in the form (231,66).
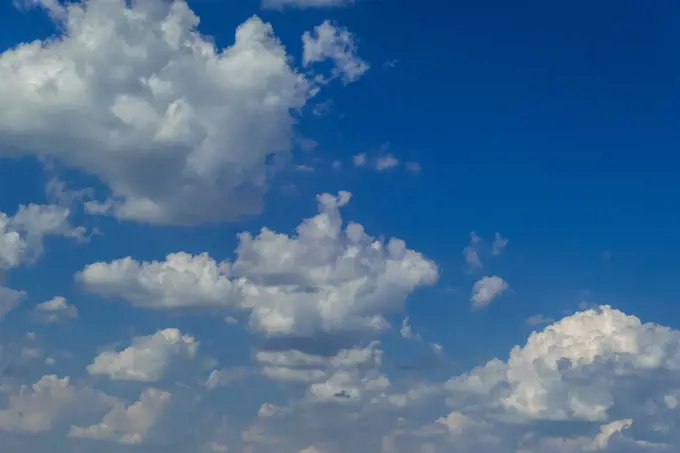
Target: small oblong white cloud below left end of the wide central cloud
(147,359)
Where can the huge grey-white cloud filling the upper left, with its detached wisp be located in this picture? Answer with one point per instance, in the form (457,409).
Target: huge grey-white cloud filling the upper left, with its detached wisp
(179,131)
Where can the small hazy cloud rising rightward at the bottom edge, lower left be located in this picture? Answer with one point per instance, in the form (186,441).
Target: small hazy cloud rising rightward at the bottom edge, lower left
(128,425)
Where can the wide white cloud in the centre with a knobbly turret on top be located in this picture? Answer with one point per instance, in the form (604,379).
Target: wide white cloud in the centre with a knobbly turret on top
(325,278)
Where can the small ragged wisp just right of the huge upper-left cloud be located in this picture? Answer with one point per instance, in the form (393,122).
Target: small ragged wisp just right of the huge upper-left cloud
(337,44)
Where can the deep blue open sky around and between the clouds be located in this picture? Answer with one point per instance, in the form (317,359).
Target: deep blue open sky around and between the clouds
(554,123)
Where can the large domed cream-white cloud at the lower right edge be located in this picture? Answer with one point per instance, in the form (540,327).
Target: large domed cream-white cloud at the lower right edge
(576,369)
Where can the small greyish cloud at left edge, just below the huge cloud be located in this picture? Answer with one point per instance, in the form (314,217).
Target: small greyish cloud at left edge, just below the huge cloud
(21,235)
